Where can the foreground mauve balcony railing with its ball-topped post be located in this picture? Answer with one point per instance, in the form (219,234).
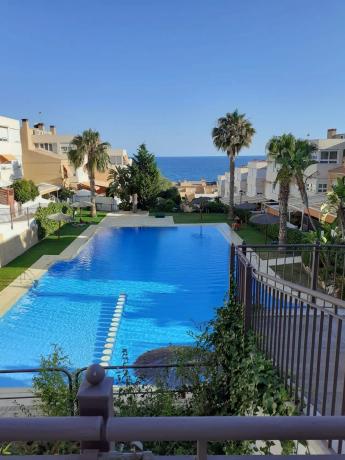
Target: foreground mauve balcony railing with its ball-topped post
(97,429)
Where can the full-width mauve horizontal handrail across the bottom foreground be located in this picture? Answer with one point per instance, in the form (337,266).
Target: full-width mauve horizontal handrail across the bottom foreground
(210,428)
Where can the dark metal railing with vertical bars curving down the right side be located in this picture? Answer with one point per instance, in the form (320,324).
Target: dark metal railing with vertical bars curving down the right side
(301,330)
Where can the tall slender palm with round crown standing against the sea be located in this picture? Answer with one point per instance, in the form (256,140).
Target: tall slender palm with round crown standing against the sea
(232,133)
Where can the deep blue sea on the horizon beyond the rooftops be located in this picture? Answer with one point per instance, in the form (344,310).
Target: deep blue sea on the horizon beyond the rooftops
(199,167)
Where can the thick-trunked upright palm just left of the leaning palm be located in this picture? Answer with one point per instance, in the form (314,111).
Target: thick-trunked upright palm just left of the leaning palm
(282,150)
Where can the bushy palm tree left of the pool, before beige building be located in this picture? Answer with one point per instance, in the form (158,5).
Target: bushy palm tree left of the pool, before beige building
(88,151)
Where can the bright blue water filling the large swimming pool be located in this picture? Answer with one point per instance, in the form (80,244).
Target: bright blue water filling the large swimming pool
(173,277)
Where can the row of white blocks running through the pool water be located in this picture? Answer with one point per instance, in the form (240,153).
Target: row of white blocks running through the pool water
(110,323)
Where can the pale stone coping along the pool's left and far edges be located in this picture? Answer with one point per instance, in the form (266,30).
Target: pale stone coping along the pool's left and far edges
(18,287)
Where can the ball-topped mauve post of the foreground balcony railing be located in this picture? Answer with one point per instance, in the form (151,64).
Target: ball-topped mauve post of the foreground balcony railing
(95,397)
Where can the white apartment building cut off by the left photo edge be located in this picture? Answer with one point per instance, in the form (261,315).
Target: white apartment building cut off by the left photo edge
(10,151)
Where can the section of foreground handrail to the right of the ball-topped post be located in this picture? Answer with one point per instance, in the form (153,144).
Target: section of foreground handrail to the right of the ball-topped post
(222,428)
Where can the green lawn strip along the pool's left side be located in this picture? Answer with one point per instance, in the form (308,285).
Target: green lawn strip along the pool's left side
(51,245)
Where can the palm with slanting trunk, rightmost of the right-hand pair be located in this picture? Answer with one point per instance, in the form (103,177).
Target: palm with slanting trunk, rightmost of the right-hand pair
(302,159)
